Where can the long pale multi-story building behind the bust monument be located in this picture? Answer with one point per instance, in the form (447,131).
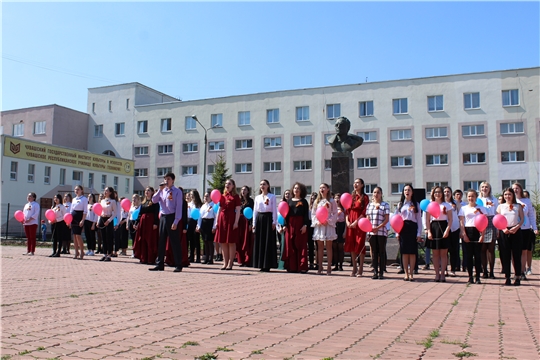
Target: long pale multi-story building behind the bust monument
(457,130)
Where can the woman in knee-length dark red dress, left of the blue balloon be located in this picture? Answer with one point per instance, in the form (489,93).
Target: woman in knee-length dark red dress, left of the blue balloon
(227,224)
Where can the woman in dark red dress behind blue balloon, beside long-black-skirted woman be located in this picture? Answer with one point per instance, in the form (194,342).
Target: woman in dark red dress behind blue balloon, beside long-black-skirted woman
(245,244)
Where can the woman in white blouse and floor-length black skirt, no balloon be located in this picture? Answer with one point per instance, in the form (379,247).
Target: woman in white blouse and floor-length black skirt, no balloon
(264,227)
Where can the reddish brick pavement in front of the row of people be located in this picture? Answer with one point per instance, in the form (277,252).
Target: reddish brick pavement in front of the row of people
(72,309)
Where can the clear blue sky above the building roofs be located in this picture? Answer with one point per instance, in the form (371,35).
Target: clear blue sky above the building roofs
(53,52)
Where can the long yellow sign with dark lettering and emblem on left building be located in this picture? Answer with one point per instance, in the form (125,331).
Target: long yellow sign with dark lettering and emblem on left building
(30,150)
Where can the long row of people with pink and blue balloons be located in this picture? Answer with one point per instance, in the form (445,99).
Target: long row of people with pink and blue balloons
(166,227)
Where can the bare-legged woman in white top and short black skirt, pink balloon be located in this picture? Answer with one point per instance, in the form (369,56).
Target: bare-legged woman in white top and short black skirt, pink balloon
(439,233)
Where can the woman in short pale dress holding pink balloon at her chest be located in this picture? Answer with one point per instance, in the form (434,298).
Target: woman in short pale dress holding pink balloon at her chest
(324,231)
